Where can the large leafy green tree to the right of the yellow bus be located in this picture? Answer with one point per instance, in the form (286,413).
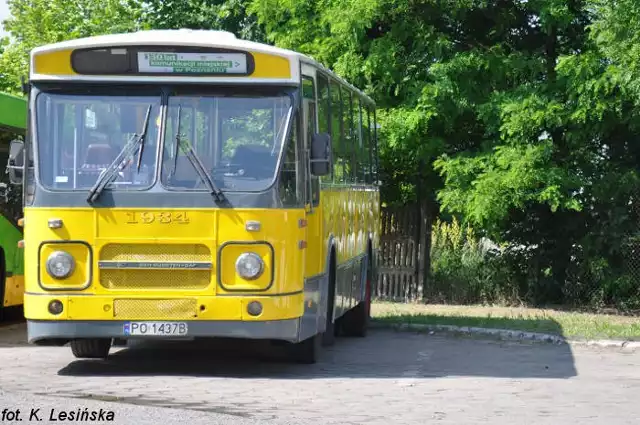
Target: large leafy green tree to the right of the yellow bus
(524,129)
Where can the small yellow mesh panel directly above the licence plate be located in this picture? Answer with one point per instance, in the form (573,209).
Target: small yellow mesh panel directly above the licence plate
(154,309)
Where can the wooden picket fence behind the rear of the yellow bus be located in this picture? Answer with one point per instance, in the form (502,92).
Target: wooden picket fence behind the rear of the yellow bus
(405,239)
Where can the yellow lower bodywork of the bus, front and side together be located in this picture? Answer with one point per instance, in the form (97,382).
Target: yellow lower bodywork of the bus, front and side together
(215,236)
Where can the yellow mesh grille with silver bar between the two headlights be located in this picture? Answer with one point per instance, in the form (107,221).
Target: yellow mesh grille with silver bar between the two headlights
(155,279)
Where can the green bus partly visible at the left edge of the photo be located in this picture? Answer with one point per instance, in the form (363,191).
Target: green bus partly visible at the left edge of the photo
(13,121)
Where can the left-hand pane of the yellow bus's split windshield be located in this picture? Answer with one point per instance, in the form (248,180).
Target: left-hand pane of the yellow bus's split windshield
(80,135)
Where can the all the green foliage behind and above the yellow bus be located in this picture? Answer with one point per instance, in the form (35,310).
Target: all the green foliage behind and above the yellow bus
(520,118)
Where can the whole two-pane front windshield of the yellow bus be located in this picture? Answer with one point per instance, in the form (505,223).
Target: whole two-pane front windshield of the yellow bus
(236,135)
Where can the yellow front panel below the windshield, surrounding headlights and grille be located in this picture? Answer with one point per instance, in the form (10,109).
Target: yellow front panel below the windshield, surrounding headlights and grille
(164,235)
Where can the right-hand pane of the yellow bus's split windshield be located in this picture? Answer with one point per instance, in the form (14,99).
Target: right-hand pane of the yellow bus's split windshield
(237,136)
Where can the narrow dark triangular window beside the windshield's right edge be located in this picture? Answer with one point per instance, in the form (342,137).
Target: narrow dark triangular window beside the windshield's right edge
(291,192)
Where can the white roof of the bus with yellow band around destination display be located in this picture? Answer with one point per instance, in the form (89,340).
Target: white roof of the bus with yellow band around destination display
(272,64)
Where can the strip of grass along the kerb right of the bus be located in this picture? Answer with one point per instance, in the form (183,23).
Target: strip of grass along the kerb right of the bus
(571,325)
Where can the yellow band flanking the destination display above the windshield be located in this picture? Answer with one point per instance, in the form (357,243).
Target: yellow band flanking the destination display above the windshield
(58,63)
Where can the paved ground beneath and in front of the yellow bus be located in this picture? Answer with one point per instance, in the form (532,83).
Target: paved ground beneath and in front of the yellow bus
(389,377)
